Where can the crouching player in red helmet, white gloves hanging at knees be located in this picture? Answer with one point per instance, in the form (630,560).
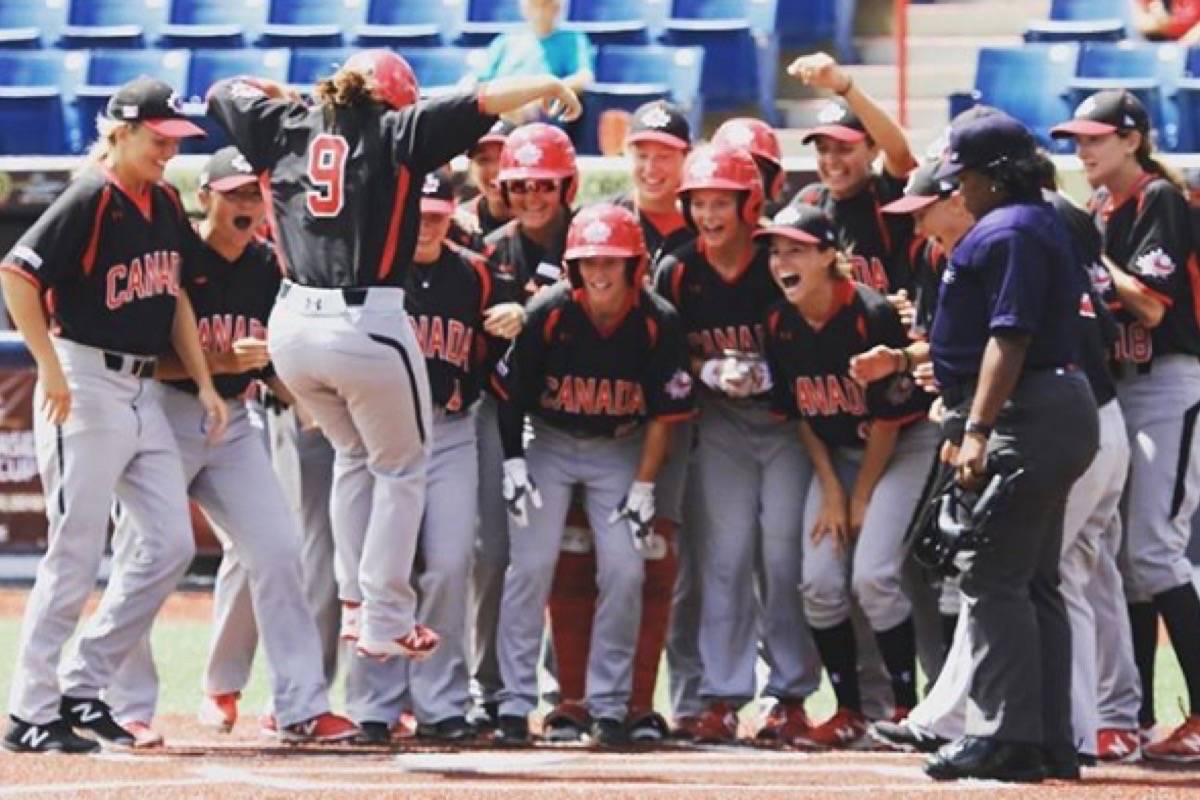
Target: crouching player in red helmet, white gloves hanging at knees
(602,368)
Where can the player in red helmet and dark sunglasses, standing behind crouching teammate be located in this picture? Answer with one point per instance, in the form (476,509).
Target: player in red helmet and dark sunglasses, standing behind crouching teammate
(538,181)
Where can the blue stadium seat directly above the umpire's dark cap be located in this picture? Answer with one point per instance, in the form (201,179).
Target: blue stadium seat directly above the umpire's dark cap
(1028,82)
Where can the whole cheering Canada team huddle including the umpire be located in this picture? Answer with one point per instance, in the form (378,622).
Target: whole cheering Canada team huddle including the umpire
(664,424)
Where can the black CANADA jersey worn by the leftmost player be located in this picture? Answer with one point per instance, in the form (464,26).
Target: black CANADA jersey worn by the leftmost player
(109,263)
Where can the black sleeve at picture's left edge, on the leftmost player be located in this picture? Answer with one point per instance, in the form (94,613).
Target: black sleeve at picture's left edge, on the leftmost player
(52,250)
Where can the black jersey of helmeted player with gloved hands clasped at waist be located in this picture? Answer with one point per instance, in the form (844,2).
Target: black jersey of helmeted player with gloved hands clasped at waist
(718,315)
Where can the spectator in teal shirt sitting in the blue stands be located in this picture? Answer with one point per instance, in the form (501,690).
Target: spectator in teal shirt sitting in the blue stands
(539,50)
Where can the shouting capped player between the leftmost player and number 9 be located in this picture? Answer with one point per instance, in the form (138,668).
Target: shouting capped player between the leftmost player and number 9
(232,280)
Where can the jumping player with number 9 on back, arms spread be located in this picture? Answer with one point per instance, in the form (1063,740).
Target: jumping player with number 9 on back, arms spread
(345,179)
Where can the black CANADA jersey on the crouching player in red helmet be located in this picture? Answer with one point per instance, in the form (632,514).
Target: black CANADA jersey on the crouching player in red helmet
(591,382)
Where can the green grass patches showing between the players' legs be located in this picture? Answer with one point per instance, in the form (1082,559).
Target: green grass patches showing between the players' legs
(182,648)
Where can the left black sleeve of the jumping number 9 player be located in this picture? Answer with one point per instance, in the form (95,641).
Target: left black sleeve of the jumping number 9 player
(253,121)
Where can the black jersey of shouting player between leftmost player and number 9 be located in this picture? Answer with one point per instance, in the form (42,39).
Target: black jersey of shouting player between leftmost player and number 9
(232,302)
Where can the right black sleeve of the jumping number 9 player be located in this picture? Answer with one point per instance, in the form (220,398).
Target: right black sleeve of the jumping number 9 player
(434,131)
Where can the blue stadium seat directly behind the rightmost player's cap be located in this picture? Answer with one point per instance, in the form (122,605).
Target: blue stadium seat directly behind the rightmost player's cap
(1160,63)
